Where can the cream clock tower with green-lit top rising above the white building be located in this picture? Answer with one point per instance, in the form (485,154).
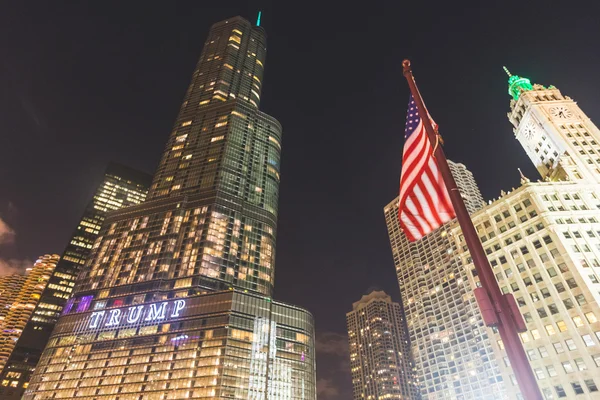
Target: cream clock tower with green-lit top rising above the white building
(561,141)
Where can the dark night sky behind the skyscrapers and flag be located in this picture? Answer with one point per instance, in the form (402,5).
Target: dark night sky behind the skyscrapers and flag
(83,84)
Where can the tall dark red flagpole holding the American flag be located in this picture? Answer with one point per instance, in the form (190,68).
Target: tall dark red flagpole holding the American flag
(500,313)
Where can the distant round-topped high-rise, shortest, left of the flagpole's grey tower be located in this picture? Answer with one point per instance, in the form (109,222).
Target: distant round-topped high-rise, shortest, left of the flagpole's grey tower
(380,358)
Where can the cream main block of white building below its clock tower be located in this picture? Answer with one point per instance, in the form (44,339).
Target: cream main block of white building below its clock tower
(543,243)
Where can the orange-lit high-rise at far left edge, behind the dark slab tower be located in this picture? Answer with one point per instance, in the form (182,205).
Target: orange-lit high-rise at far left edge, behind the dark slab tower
(24,295)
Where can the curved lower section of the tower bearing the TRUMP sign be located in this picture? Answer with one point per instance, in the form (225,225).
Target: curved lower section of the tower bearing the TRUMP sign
(219,345)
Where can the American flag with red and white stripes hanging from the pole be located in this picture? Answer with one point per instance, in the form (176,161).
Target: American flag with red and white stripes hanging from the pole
(424,202)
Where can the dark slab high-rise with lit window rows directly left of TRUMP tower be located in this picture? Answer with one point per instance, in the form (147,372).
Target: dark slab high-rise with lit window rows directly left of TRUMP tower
(121,186)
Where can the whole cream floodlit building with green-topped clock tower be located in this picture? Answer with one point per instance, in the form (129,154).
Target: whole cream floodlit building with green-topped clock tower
(543,242)
